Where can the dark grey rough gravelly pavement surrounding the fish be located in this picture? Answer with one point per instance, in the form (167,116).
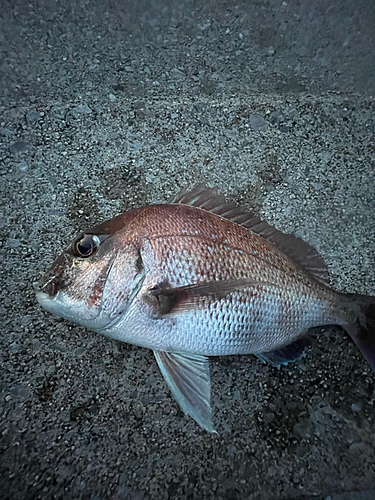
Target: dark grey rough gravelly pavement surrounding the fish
(110,105)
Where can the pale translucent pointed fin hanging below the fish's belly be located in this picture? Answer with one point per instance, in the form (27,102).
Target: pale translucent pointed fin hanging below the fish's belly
(188,377)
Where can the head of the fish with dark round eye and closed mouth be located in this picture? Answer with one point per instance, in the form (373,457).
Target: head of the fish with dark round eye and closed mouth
(94,280)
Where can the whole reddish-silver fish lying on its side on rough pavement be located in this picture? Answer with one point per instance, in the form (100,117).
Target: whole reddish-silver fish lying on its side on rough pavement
(199,277)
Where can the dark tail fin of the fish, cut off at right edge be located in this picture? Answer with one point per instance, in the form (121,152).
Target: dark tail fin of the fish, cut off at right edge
(361,328)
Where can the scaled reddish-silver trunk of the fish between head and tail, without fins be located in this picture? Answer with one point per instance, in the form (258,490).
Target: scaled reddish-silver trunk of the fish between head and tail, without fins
(185,246)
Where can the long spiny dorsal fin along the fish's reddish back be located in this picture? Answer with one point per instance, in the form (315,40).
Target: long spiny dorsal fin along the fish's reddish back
(300,252)
